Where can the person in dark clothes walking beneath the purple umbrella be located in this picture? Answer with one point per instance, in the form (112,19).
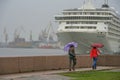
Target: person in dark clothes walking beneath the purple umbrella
(72,58)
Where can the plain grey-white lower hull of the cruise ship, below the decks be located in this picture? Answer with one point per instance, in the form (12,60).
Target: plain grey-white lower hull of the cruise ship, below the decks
(85,39)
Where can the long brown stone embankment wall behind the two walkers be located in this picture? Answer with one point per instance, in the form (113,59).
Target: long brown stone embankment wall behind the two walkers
(41,63)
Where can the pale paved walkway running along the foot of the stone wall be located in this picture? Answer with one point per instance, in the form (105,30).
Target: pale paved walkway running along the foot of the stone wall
(45,75)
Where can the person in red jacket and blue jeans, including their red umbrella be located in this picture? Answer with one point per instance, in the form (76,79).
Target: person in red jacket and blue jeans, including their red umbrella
(94,53)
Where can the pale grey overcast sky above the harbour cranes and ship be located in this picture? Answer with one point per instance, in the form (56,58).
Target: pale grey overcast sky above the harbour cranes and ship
(27,15)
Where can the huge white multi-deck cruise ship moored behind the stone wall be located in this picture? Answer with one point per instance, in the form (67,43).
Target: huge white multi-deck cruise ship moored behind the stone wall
(88,25)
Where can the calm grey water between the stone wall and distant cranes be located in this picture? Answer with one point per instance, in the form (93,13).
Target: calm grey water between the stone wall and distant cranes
(16,52)
